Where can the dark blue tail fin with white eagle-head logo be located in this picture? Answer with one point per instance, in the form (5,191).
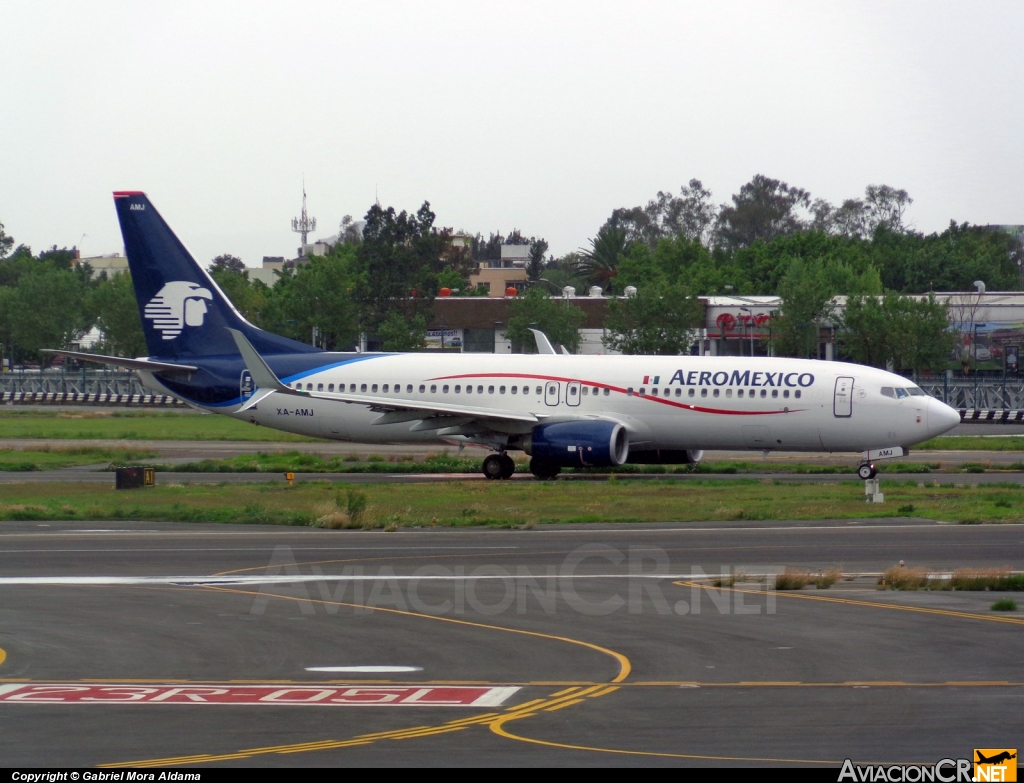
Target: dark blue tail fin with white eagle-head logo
(185,314)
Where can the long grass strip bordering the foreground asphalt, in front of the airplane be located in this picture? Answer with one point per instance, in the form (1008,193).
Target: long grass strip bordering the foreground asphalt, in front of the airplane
(507,504)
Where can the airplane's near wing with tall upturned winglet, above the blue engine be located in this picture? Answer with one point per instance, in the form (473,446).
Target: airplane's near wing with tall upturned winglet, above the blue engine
(448,419)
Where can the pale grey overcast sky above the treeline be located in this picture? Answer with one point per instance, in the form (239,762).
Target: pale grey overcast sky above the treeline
(542,116)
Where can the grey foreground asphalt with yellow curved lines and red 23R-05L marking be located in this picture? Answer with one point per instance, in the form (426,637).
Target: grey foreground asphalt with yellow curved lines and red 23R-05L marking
(581,646)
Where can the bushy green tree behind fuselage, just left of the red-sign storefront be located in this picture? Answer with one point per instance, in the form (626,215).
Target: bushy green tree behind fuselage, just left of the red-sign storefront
(659,320)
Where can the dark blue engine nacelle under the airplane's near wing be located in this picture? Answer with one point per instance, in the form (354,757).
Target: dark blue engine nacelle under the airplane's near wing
(580,445)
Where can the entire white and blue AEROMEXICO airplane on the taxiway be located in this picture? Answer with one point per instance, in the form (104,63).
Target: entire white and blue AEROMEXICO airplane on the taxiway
(563,411)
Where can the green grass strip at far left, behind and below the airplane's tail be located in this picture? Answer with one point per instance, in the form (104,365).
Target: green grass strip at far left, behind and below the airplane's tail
(136,425)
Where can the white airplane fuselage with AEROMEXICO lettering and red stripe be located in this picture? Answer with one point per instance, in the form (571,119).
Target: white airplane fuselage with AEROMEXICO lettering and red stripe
(674,403)
